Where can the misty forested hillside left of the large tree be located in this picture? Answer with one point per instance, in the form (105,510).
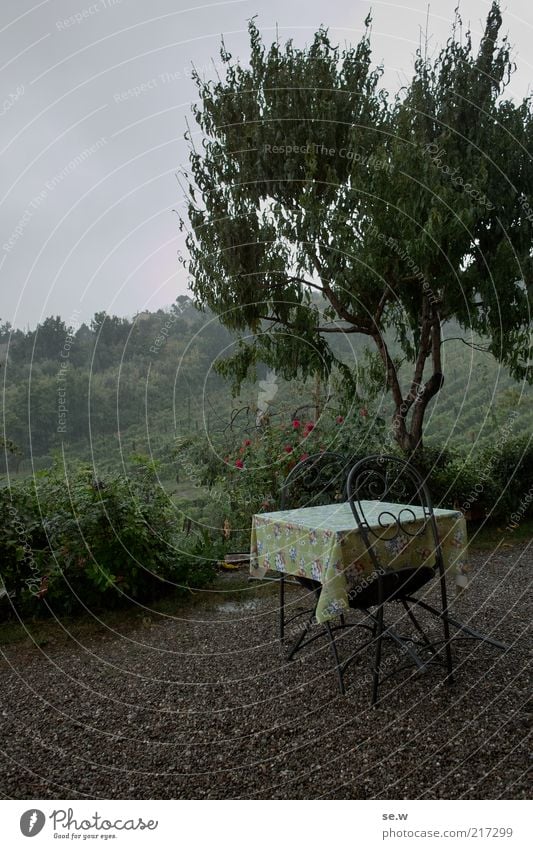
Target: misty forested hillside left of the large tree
(78,385)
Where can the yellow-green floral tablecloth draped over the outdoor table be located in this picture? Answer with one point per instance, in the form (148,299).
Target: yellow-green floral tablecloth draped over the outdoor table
(323,543)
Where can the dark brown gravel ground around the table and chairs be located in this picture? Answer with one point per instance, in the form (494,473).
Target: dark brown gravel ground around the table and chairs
(200,705)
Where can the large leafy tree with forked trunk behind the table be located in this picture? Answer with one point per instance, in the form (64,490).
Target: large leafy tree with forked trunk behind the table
(318,205)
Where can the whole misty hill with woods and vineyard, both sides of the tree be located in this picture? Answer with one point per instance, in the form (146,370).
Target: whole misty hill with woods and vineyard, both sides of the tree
(135,384)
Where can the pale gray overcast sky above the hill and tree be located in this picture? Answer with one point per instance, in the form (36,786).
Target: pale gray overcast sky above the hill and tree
(81,236)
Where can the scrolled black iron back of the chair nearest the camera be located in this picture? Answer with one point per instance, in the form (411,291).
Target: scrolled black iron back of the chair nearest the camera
(391,480)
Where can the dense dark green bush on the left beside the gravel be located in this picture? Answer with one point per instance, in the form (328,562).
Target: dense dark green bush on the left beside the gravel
(71,540)
